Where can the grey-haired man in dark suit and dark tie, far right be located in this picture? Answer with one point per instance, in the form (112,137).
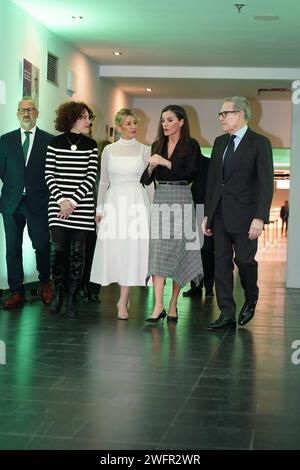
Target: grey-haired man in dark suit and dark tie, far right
(237,204)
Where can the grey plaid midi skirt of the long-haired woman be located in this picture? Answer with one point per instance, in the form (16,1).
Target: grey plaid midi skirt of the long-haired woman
(174,249)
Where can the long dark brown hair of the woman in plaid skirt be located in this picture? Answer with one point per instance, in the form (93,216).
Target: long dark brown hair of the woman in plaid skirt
(184,139)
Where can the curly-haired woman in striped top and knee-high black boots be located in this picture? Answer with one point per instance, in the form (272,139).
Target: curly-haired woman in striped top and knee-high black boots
(71,168)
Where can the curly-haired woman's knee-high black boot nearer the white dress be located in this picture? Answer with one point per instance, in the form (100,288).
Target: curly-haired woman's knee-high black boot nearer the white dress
(76,270)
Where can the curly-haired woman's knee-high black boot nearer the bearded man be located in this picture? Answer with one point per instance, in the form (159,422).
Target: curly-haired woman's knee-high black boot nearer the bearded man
(57,268)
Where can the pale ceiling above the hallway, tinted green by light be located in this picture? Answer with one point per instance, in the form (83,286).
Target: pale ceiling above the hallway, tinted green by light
(181,33)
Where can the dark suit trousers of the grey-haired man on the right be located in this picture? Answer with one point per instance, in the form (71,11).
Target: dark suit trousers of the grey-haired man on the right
(235,247)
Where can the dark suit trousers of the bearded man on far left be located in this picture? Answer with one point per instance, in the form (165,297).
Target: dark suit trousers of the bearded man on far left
(37,226)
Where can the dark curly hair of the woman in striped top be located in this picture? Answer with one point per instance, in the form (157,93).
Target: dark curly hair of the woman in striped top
(68,113)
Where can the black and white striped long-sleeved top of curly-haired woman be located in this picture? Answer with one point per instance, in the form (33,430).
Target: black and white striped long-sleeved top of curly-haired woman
(71,174)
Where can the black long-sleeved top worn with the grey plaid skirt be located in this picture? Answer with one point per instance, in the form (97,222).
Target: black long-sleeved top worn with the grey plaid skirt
(184,168)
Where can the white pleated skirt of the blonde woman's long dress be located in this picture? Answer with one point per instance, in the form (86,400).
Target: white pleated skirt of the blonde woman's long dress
(122,247)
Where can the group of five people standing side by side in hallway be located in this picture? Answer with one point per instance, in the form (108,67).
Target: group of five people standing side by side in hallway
(138,240)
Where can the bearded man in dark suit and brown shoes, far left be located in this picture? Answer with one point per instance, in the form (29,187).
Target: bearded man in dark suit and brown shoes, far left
(24,199)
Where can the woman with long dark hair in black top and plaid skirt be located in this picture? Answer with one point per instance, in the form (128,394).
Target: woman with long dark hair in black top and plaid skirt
(174,249)
